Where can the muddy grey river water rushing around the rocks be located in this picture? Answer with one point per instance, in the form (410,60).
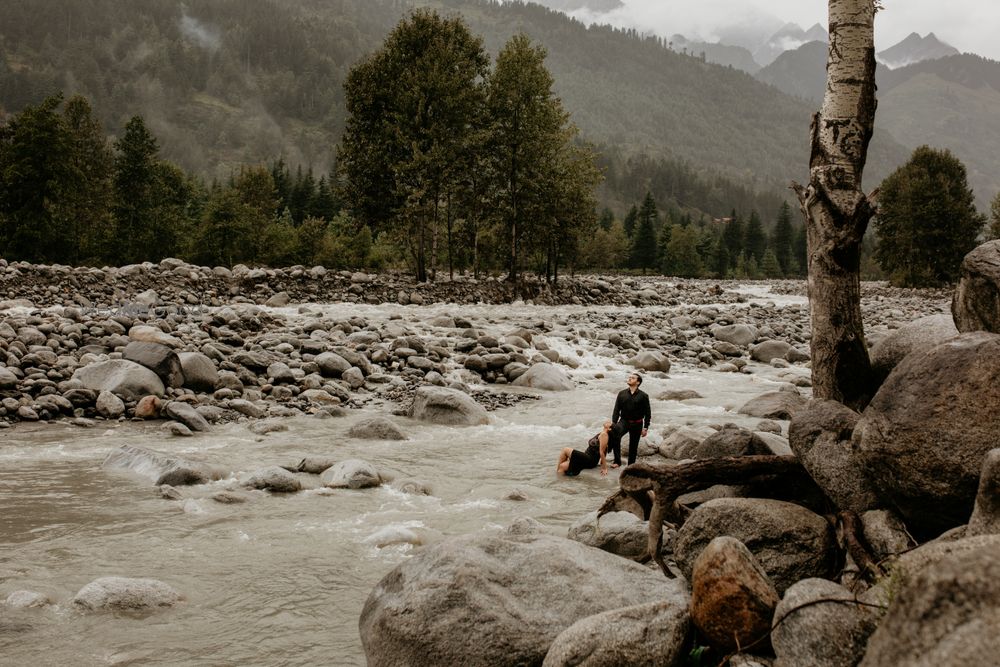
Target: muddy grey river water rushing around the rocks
(281,579)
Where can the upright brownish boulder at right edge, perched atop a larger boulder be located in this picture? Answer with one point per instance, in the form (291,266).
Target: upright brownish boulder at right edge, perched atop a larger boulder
(975,305)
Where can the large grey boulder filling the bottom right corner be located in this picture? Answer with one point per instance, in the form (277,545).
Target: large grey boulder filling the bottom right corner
(946,615)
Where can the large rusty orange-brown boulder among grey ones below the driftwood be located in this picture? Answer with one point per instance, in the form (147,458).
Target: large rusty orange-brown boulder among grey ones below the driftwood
(732,599)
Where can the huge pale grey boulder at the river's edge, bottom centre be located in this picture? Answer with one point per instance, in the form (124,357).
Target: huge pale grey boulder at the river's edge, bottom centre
(497,599)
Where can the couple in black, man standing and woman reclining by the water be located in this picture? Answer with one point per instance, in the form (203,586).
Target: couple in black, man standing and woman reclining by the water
(631,414)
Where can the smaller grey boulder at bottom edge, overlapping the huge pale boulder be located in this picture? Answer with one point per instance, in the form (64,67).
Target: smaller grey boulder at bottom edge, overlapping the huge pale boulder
(653,633)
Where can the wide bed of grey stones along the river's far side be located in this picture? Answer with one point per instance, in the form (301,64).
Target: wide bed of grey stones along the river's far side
(172,339)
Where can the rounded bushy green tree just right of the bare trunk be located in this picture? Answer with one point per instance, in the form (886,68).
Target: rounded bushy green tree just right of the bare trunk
(927,220)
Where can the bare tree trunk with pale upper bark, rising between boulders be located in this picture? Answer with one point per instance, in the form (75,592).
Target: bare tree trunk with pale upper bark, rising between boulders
(836,209)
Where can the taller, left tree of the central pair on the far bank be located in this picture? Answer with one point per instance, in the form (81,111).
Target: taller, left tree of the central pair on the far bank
(412,105)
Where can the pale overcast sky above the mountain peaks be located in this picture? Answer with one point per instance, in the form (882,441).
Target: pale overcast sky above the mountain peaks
(968,25)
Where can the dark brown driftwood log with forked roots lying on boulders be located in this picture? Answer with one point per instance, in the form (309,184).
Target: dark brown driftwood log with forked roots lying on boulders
(656,488)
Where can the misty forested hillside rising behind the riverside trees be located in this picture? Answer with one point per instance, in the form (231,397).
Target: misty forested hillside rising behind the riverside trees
(223,83)
